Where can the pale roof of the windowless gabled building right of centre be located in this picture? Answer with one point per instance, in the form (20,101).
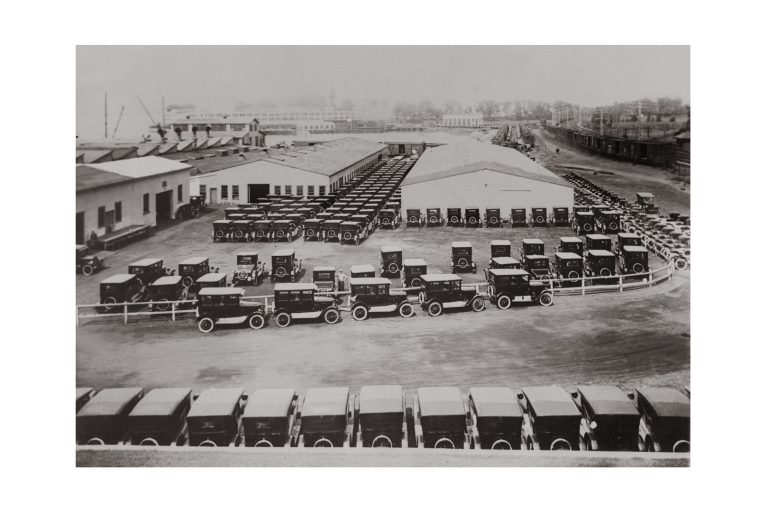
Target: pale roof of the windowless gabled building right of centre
(455,159)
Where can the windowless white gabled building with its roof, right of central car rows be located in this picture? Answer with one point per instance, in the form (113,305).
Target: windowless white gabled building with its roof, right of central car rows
(482,175)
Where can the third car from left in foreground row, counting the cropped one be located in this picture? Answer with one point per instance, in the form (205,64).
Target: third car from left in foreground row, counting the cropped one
(158,418)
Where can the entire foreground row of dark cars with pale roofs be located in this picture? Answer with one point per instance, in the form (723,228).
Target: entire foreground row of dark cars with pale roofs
(592,417)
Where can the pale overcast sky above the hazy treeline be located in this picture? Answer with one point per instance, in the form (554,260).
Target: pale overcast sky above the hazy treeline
(215,77)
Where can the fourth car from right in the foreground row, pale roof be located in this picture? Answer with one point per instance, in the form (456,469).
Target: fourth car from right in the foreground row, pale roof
(497,418)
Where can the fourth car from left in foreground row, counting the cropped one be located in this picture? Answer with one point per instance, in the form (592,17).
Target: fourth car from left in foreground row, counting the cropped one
(214,418)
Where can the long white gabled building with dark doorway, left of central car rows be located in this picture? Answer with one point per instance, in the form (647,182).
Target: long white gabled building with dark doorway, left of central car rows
(307,171)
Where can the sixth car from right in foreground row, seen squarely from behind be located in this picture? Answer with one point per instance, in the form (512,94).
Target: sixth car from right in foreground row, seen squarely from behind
(381,419)
